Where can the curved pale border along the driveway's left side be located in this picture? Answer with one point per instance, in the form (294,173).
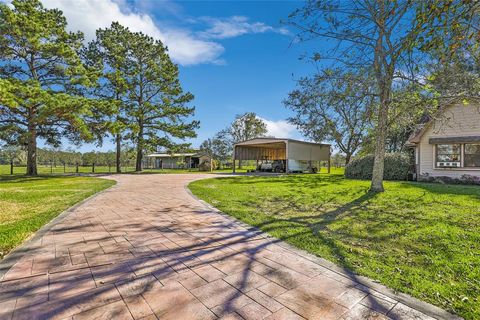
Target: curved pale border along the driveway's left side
(16,254)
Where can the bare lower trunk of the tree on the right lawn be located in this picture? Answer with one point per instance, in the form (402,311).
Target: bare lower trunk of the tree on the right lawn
(380,134)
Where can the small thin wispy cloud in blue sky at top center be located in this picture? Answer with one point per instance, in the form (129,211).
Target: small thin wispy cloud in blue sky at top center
(222,28)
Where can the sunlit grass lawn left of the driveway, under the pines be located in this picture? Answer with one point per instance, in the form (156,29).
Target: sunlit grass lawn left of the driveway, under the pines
(26,204)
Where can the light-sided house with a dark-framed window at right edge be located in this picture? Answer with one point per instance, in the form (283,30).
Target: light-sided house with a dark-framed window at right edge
(449,144)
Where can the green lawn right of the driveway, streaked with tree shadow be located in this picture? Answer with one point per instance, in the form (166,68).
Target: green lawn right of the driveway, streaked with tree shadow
(417,238)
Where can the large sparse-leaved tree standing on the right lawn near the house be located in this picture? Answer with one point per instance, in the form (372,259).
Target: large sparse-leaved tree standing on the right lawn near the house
(392,38)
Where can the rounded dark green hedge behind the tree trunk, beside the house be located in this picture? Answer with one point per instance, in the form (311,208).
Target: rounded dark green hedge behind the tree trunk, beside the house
(397,167)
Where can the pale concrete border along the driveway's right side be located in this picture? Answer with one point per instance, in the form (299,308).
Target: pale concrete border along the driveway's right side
(422,306)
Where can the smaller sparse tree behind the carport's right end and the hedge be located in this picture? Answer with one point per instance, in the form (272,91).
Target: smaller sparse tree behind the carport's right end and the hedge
(334,106)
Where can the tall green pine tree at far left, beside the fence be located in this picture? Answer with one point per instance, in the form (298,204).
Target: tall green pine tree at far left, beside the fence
(41,75)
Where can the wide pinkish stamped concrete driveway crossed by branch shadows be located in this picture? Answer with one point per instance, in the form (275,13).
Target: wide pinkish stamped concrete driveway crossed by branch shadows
(146,249)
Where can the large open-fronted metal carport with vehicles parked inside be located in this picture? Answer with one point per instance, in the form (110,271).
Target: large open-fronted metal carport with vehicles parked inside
(296,155)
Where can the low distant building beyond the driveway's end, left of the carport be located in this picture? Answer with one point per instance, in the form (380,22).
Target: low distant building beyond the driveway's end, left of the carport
(176,160)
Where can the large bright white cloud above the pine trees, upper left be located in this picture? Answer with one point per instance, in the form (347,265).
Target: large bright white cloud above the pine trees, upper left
(90,15)
